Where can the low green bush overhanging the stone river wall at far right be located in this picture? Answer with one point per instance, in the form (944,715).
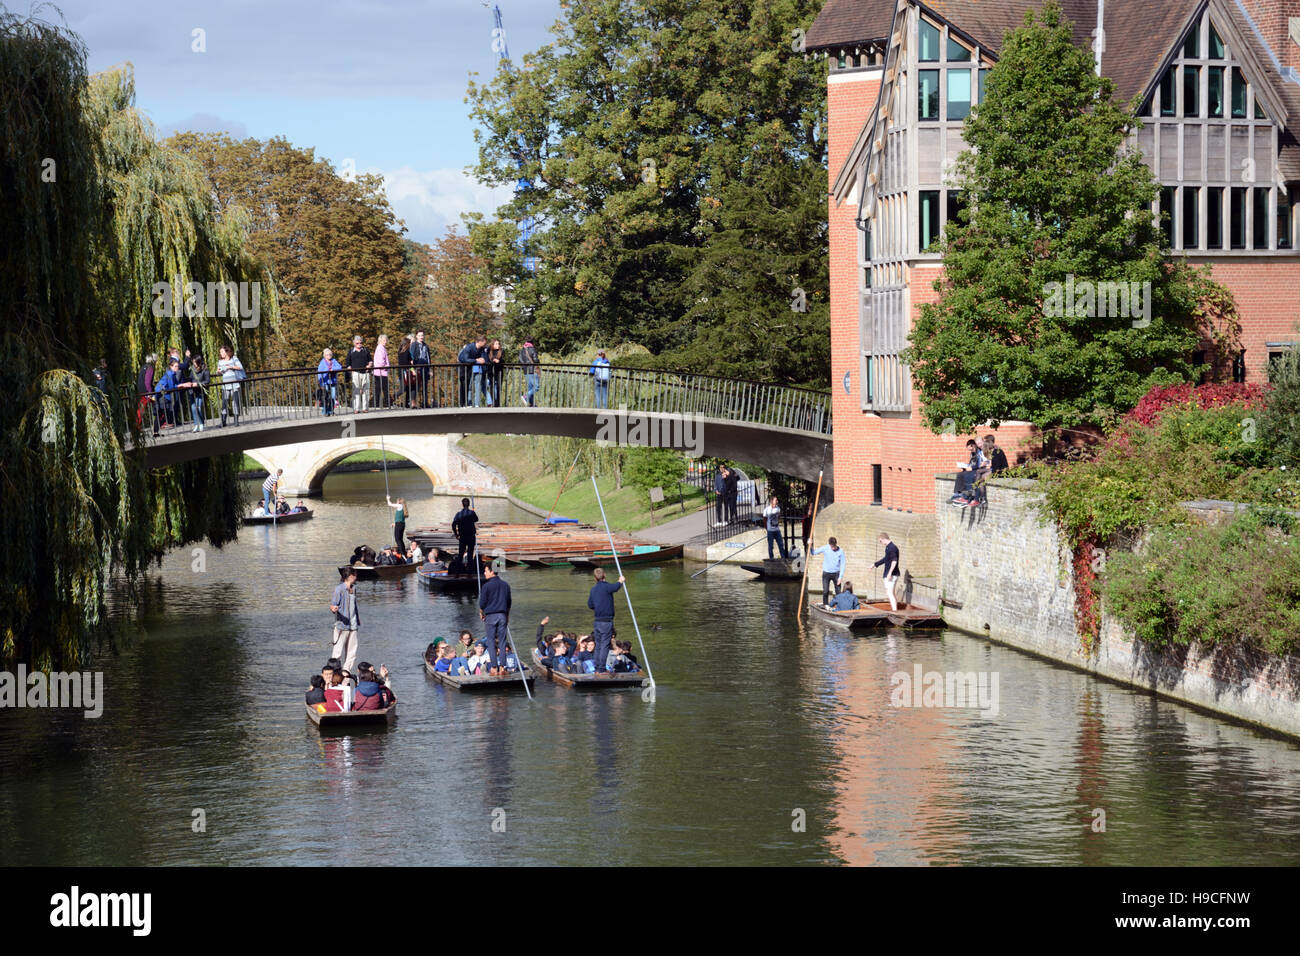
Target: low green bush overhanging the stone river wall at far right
(1234,585)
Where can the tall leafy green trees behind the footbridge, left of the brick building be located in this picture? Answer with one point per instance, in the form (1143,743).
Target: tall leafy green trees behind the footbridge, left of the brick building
(677,159)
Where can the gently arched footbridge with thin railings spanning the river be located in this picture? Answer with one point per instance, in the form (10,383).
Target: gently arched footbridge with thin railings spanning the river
(778,427)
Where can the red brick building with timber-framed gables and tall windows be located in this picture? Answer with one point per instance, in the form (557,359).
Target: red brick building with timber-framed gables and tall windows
(1220,85)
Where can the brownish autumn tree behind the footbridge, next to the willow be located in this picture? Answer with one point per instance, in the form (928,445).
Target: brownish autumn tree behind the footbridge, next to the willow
(333,243)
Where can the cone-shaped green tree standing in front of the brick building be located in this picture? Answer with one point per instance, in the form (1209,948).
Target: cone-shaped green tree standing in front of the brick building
(1056,205)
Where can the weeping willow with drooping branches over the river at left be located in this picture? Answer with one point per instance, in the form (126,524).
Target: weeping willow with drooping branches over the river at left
(97,213)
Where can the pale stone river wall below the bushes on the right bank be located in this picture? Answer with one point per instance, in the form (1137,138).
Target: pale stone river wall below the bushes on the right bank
(1007,577)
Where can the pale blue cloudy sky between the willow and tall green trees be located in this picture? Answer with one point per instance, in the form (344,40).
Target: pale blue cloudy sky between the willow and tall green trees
(378,83)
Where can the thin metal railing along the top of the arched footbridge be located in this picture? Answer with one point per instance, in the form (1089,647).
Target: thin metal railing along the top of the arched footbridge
(298,395)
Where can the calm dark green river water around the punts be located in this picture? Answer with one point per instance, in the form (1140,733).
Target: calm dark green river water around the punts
(756,720)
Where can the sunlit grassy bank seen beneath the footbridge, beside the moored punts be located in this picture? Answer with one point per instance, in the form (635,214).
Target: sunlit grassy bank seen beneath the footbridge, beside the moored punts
(627,509)
